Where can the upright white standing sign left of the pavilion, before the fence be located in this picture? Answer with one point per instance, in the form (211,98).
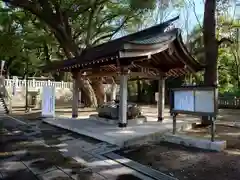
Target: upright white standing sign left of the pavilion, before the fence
(48,101)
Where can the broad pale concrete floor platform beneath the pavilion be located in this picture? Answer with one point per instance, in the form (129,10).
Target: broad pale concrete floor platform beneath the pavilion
(122,137)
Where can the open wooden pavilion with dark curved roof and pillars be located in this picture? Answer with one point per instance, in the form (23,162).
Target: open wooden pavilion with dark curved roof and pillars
(154,53)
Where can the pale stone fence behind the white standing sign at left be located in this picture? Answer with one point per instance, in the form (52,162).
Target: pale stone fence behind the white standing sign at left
(63,91)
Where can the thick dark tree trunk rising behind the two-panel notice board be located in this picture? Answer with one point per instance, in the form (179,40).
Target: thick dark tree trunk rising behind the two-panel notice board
(211,48)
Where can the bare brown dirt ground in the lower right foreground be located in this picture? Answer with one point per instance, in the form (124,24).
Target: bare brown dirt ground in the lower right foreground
(188,163)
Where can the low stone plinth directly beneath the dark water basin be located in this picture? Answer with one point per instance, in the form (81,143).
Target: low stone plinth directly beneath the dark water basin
(139,120)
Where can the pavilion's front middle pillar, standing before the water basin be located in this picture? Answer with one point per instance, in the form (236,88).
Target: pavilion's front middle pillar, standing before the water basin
(123,98)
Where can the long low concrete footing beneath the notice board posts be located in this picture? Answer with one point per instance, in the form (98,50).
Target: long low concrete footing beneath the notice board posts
(195,142)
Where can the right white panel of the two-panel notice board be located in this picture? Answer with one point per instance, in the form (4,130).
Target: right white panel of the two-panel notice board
(204,101)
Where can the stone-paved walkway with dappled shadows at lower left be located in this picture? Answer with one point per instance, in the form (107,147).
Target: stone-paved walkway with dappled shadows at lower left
(40,151)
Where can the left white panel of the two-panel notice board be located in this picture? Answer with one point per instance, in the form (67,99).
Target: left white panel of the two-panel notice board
(184,100)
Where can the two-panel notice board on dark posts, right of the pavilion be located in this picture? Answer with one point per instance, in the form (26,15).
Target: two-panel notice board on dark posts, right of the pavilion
(196,101)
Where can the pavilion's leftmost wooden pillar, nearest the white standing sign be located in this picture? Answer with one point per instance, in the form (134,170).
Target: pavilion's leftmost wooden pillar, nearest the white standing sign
(75,96)
